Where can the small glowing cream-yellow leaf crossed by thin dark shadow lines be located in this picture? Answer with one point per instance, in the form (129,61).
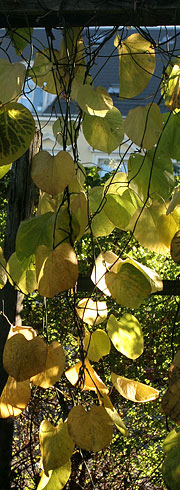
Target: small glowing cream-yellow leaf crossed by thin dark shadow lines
(92,312)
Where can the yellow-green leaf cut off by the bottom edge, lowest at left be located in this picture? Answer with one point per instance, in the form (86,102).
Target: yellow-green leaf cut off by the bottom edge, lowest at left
(56,479)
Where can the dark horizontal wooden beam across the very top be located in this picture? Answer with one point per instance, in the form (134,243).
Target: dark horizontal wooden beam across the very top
(55,13)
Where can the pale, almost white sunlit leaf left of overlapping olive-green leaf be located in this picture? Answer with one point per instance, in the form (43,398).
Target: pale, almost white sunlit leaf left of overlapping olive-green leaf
(104,262)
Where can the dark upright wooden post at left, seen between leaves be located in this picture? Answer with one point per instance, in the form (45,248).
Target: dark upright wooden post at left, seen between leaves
(20,205)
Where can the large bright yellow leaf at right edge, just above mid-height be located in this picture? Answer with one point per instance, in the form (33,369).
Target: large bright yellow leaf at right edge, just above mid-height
(159,227)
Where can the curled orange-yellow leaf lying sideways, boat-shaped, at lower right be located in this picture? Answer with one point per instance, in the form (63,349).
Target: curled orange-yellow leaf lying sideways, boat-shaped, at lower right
(134,390)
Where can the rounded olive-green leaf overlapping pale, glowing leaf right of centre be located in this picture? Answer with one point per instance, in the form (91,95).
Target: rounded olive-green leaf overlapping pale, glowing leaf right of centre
(129,286)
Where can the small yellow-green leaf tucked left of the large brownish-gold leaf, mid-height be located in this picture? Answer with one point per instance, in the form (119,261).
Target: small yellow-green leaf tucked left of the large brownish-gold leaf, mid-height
(22,273)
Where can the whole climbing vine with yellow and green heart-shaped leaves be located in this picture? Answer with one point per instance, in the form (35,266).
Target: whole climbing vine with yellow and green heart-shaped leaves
(142,201)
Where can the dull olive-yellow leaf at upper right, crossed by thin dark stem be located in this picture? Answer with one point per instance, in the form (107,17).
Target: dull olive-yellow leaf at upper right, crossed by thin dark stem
(143,125)
